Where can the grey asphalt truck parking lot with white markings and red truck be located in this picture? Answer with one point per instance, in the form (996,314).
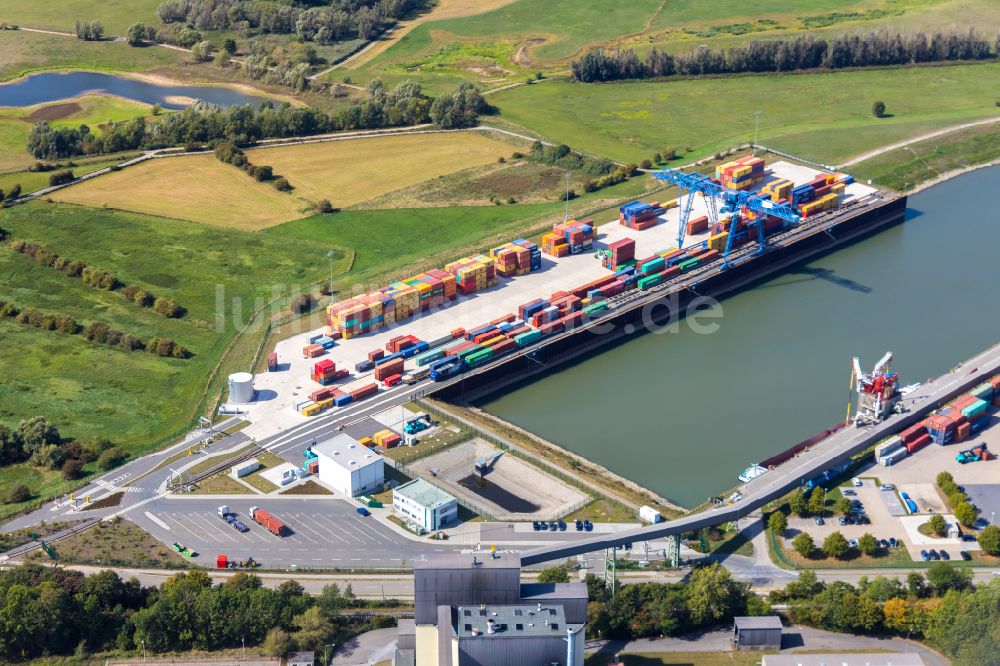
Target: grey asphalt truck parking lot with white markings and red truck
(325,533)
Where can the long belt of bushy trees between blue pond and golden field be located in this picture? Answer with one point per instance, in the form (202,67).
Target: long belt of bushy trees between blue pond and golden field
(209,124)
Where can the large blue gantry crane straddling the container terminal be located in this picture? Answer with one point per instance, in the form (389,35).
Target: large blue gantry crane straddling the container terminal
(733,203)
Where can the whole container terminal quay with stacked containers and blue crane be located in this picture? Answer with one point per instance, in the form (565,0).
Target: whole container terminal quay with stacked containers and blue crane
(324,370)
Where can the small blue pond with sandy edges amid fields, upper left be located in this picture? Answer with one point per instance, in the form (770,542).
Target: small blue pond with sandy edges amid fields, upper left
(54,86)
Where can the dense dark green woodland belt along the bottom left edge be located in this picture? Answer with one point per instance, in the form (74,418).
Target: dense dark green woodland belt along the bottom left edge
(53,611)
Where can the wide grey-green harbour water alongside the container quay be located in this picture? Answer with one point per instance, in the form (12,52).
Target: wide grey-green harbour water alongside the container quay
(684,413)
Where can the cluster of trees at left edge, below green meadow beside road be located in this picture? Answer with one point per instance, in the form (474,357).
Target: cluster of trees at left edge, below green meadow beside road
(38,442)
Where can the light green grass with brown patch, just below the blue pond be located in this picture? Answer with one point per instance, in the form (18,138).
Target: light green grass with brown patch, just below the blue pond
(91,110)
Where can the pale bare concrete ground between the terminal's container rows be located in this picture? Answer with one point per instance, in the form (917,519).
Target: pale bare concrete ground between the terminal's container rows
(281,390)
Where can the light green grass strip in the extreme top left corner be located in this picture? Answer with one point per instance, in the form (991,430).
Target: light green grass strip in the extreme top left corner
(115,15)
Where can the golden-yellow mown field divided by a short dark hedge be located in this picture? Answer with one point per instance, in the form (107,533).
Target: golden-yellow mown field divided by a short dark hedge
(199,188)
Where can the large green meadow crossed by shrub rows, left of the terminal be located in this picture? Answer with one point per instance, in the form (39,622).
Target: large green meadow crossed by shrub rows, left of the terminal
(134,398)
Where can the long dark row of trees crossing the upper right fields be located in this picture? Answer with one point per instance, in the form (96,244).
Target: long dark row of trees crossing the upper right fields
(872,49)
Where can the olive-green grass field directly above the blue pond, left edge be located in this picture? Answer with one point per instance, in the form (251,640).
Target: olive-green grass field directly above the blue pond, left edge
(23,52)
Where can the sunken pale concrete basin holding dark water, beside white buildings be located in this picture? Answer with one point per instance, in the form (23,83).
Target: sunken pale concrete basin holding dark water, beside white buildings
(509,491)
